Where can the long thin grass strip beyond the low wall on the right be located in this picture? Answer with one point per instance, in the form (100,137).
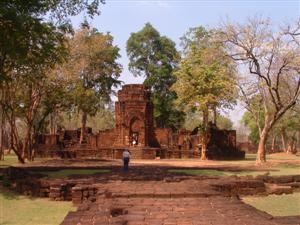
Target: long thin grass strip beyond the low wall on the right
(278,170)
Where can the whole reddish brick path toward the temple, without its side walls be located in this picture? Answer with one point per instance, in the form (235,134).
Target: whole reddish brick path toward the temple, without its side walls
(170,201)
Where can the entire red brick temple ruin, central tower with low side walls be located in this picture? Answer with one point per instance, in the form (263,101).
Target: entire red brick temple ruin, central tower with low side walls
(135,130)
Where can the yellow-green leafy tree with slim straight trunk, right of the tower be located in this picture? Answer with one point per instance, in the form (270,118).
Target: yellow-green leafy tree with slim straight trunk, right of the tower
(206,77)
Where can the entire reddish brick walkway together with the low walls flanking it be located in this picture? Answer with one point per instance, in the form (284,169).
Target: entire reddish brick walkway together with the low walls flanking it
(146,195)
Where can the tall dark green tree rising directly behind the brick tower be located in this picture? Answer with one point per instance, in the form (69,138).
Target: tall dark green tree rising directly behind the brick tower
(155,57)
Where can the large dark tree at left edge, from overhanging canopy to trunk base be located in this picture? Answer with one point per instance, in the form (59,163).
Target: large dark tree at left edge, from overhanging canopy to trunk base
(30,46)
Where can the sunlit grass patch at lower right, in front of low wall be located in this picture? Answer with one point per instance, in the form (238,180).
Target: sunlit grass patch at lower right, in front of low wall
(276,205)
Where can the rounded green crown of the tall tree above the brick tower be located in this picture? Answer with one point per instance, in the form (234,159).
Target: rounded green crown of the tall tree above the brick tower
(152,56)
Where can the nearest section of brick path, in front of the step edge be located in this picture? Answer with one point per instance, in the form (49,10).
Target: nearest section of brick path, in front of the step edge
(215,210)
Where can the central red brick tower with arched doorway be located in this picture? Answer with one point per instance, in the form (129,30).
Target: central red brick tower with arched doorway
(134,117)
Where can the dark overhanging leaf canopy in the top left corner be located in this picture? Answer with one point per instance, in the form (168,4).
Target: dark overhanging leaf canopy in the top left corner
(25,36)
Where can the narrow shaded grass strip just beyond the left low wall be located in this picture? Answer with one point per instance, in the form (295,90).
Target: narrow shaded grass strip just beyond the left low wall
(69,172)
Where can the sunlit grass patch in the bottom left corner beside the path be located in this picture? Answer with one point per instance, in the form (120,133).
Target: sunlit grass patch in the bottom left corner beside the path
(22,210)
